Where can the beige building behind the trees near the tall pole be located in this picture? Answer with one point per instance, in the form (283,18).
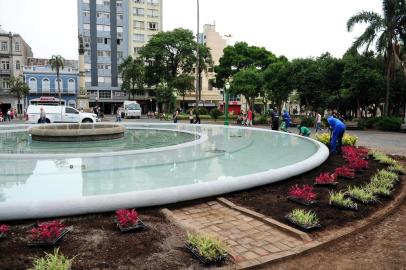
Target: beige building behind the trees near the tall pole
(210,97)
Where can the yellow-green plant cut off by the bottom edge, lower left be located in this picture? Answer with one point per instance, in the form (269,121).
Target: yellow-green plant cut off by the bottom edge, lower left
(55,261)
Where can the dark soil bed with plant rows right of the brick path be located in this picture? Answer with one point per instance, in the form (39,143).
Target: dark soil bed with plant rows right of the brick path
(271,199)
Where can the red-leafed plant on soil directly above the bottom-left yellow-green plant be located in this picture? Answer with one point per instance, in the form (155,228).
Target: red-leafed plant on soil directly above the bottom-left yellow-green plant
(47,231)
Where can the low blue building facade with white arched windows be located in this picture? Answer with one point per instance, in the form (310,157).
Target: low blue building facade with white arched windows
(43,83)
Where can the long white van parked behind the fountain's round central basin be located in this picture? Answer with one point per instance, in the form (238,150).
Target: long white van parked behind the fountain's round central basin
(59,114)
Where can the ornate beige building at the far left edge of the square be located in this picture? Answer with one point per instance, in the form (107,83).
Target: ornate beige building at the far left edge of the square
(14,52)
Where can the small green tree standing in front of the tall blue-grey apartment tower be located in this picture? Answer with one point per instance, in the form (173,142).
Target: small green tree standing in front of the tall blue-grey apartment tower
(133,74)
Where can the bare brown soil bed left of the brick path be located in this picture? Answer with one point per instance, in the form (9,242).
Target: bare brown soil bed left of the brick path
(97,243)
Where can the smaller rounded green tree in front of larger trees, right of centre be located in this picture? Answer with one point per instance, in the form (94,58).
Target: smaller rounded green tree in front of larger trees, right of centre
(247,82)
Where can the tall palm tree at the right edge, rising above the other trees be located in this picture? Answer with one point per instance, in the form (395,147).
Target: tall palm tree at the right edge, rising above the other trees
(385,31)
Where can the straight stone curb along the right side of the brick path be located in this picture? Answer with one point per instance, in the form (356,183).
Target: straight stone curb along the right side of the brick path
(267,220)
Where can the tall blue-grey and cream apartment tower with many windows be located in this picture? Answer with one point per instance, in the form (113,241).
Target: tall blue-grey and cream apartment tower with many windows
(112,30)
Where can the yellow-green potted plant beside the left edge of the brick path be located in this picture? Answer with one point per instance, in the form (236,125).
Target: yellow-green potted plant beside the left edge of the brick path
(206,249)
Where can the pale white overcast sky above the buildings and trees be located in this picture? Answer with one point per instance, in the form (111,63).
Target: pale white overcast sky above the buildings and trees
(294,28)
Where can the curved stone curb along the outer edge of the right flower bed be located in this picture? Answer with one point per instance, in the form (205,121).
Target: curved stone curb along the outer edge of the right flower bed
(333,237)
